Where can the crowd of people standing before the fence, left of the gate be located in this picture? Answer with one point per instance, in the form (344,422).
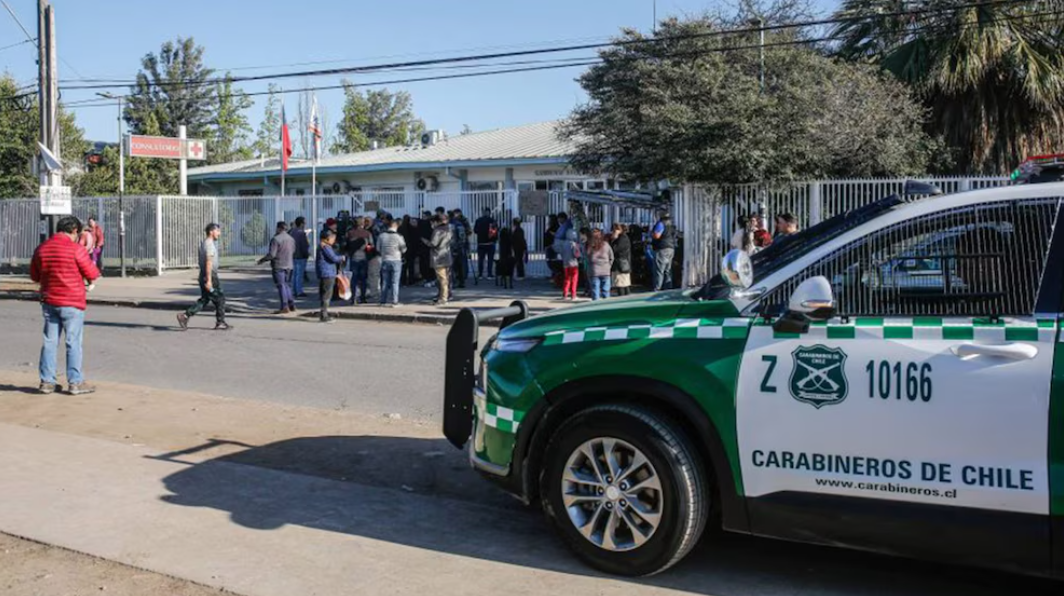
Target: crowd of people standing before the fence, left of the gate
(363,259)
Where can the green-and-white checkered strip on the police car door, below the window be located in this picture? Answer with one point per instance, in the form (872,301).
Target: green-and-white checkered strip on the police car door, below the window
(930,328)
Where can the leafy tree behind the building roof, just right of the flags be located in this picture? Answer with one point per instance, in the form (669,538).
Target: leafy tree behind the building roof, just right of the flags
(377,115)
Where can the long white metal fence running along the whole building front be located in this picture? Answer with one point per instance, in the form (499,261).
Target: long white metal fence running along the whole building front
(164,233)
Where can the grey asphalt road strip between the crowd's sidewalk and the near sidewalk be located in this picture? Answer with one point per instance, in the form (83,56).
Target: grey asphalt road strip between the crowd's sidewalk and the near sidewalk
(371,368)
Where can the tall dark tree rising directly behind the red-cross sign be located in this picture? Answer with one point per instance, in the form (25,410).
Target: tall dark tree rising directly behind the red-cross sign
(175,88)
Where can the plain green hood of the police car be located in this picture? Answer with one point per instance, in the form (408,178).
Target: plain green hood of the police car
(662,308)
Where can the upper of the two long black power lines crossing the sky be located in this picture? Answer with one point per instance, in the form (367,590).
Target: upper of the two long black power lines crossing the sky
(371,69)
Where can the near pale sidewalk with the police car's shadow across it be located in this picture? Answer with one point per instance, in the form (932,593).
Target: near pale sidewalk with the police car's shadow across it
(263,501)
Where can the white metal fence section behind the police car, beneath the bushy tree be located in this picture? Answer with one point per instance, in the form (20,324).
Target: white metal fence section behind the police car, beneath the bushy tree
(713,212)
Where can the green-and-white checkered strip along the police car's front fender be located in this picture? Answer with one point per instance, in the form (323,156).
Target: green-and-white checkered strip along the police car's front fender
(681,329)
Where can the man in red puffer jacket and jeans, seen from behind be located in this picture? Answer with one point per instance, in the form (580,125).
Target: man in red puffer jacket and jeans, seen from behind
(62,267)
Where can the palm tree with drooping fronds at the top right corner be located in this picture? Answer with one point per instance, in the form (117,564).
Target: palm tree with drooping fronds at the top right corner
(990,73)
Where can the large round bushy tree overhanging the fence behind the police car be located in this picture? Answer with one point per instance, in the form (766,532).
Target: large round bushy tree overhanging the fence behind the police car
(691,109)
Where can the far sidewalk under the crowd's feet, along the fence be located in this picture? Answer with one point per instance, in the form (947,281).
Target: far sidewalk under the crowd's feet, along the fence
(252,291)
